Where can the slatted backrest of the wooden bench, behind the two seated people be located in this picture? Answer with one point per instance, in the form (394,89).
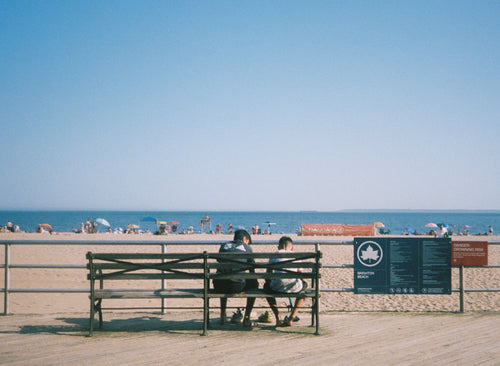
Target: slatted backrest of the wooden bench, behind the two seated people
(151,266)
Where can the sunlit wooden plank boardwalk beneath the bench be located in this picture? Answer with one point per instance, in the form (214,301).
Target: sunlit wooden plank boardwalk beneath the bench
(174,339)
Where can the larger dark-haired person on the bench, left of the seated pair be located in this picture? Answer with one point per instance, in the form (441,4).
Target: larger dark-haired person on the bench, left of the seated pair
(240,244)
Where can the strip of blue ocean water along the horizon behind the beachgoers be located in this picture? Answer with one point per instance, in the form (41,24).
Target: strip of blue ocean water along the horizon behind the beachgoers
(283,222)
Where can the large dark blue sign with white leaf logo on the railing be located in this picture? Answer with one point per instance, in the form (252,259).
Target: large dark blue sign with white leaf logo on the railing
(402,265)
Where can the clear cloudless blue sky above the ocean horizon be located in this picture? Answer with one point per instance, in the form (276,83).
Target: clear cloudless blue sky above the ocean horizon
(250,105)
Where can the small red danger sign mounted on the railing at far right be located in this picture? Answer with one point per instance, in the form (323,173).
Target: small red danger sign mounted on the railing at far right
(469,253)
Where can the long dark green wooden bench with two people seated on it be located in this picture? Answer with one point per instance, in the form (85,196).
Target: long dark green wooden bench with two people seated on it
(197,270)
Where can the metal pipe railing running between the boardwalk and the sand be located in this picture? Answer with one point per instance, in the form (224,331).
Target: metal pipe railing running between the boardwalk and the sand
(7,265)
